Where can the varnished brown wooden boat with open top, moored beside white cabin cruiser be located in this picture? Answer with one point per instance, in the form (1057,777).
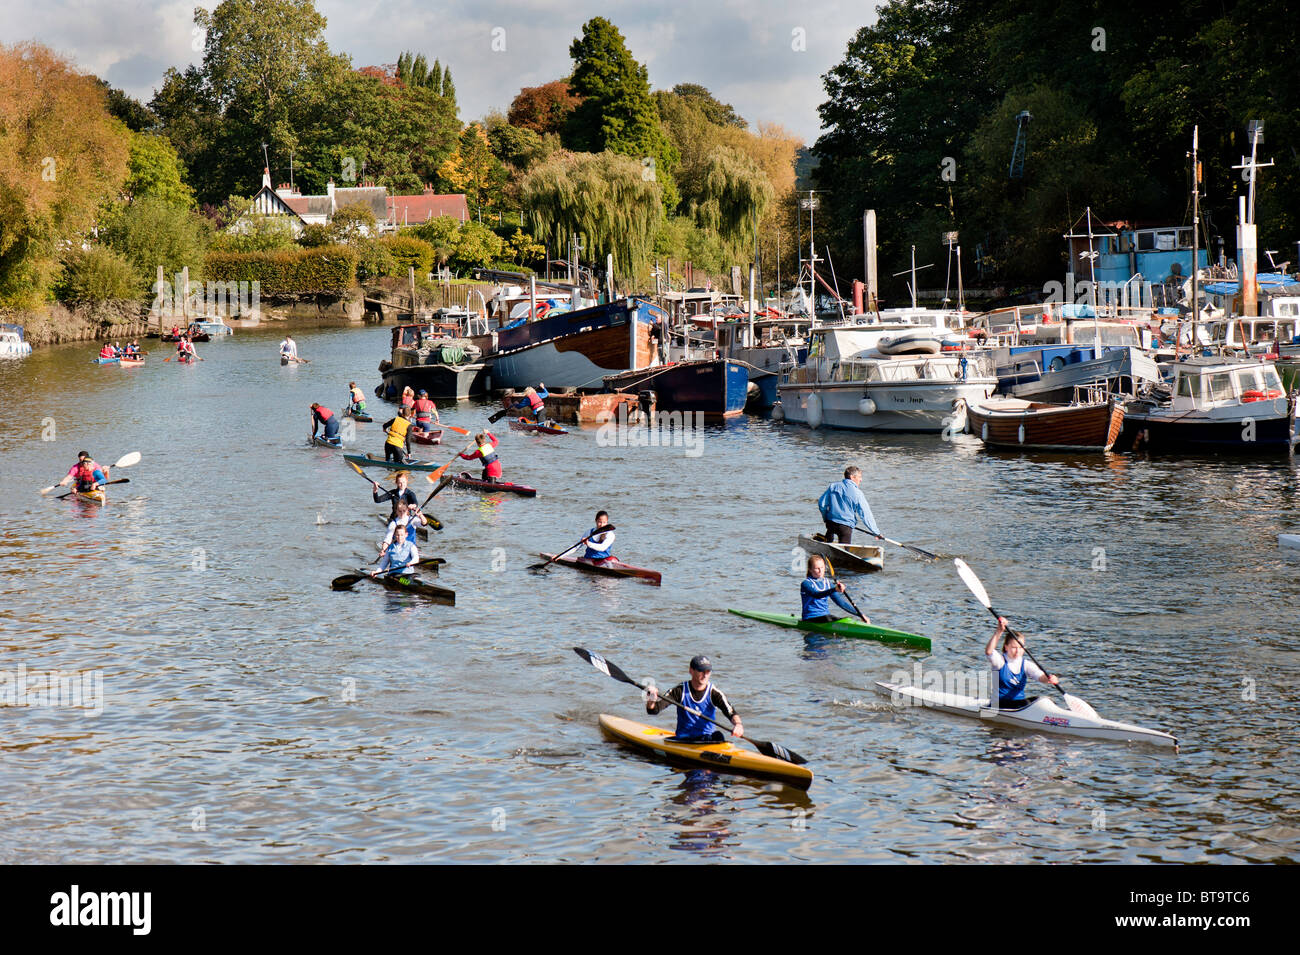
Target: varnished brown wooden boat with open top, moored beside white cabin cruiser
(1013,423)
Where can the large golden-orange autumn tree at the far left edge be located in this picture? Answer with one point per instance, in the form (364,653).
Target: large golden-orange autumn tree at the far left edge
(62,158)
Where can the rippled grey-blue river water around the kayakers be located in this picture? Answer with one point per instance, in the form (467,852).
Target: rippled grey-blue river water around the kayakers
(250,714)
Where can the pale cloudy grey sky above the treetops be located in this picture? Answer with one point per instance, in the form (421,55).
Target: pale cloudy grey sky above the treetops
(766,58)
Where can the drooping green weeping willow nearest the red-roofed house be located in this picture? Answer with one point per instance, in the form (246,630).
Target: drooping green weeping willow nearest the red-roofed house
(603,197)
